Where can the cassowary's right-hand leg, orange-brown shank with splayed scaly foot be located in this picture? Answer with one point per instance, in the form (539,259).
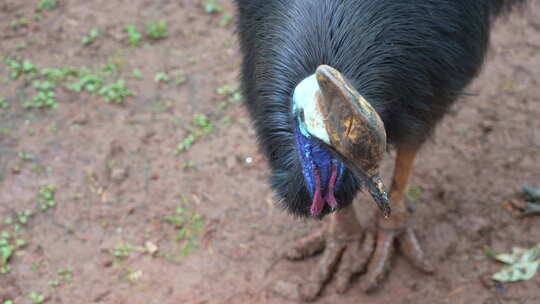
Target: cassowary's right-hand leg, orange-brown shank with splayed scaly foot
(396,228)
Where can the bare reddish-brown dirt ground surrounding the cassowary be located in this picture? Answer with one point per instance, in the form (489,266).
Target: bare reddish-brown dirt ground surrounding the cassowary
(122,214)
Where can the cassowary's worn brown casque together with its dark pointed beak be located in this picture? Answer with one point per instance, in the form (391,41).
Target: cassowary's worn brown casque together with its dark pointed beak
(355,130)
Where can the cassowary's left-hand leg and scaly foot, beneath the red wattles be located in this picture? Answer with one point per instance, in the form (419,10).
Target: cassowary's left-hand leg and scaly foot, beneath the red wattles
(346,252)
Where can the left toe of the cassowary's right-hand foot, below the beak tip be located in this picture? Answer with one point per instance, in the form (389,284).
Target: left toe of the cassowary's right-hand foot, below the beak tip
(380,261)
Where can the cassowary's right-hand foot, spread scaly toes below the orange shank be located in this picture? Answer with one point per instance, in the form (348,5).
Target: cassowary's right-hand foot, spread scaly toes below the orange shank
(407,243)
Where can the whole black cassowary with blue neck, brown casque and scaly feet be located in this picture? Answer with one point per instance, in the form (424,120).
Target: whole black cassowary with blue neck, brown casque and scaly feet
(328,84)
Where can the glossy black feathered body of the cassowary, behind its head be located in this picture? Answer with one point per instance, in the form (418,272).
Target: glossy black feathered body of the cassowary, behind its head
(410,59)
